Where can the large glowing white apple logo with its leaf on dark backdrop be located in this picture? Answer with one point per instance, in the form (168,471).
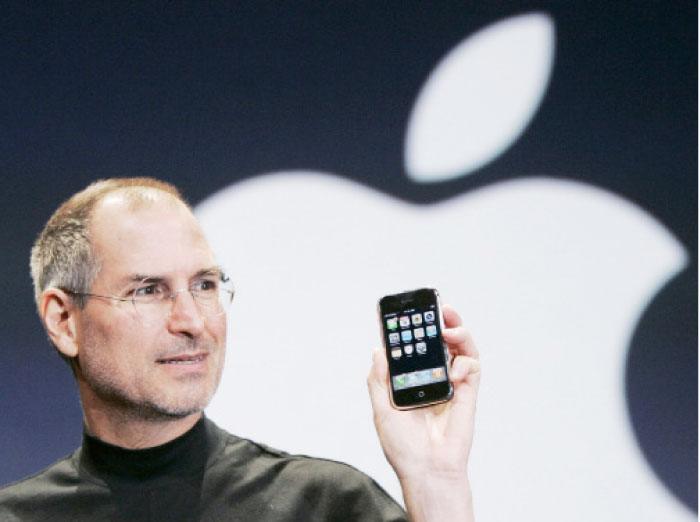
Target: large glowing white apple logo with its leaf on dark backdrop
(550,276)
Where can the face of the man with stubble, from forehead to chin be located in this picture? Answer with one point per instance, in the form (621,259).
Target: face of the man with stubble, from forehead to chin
(150,365)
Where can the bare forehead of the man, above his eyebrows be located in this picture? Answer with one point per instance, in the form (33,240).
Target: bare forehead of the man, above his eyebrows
(149,233)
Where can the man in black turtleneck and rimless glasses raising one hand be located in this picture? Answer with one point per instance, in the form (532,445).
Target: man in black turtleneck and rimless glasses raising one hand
(132,298)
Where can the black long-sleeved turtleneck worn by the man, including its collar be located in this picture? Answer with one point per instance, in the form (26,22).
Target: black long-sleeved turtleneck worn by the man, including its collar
(205,474)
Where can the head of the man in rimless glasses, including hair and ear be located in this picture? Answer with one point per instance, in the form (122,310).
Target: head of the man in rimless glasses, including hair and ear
(155,361)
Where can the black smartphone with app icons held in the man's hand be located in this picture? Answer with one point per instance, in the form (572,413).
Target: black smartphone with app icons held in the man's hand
(411,324)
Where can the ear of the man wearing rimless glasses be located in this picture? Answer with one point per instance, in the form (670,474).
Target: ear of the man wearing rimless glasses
(58,312)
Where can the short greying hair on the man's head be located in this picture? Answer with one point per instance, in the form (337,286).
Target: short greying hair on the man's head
(62,255)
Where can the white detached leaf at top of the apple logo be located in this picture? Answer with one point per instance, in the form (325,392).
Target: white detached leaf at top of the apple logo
(479,98)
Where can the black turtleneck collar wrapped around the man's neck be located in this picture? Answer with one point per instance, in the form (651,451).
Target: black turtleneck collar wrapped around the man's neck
(184,455)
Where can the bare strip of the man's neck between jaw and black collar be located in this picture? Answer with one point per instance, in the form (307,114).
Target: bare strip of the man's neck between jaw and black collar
(134,433)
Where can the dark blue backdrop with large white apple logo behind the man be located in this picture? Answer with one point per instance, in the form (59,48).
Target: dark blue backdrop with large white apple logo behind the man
(536,162)
